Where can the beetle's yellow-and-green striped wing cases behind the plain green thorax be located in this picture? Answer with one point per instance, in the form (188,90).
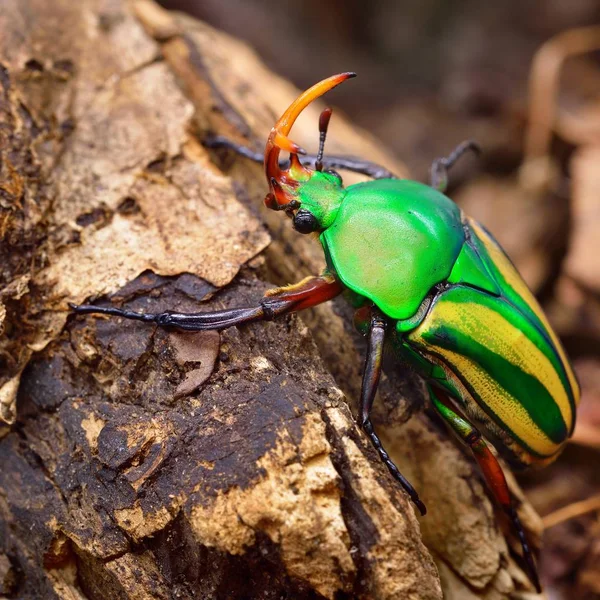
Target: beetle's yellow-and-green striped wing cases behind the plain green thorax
(501,354)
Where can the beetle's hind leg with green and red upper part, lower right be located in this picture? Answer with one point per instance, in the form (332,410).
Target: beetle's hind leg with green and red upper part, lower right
(492,472)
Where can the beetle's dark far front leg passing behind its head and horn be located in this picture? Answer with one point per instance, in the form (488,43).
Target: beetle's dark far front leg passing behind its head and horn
(356,165)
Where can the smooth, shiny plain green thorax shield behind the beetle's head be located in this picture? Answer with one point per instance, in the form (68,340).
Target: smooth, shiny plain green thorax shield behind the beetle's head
(393,240)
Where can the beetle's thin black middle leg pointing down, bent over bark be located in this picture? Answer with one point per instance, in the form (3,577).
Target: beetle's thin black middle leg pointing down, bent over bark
(371,375)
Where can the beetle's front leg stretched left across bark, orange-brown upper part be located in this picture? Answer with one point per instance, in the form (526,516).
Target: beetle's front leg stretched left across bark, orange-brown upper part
(304,294)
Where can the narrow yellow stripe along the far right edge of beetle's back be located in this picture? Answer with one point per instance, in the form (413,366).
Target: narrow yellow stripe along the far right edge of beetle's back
(513,279)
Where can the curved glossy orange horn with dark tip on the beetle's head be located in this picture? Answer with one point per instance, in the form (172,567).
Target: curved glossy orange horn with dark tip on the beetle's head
(282,182)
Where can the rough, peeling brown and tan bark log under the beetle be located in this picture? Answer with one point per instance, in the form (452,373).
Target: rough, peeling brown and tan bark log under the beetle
(139,463)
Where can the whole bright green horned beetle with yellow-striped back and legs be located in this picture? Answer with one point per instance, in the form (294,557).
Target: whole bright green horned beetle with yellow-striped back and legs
(437,285)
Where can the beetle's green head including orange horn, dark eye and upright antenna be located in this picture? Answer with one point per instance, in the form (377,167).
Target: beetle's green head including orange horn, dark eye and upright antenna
(310,197)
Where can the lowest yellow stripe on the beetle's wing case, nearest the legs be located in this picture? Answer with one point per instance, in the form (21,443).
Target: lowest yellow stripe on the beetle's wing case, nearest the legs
(508,409)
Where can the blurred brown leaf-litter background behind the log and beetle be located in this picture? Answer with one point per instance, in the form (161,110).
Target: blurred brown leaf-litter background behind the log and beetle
(434,72)
